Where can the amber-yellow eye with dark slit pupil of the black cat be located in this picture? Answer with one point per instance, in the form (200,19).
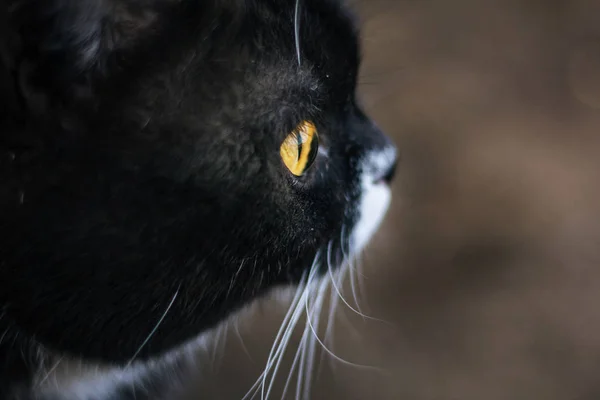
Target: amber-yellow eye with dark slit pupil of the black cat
(299,149)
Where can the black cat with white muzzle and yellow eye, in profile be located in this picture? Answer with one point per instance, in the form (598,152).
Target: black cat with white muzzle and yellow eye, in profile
(164,164)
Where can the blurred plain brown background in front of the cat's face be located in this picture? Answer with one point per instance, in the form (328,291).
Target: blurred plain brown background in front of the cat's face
(488,265)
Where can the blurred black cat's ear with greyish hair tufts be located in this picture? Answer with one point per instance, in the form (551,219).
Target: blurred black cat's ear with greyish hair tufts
(65,44)
